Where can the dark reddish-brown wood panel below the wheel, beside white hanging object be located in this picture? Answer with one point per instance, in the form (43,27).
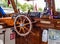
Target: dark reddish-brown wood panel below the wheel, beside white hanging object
(31,39)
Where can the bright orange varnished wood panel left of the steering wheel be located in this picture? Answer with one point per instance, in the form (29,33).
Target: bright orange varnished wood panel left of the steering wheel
(7,20)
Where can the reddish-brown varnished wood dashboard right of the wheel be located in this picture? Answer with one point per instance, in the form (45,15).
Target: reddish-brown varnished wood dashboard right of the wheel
(54,23)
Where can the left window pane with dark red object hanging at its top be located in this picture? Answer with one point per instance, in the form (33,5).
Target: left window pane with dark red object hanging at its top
(6,7)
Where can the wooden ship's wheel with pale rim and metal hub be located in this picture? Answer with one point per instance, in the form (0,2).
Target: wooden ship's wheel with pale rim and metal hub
(24,25)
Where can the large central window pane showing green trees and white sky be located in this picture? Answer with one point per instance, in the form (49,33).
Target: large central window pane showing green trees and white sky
(36,5)
